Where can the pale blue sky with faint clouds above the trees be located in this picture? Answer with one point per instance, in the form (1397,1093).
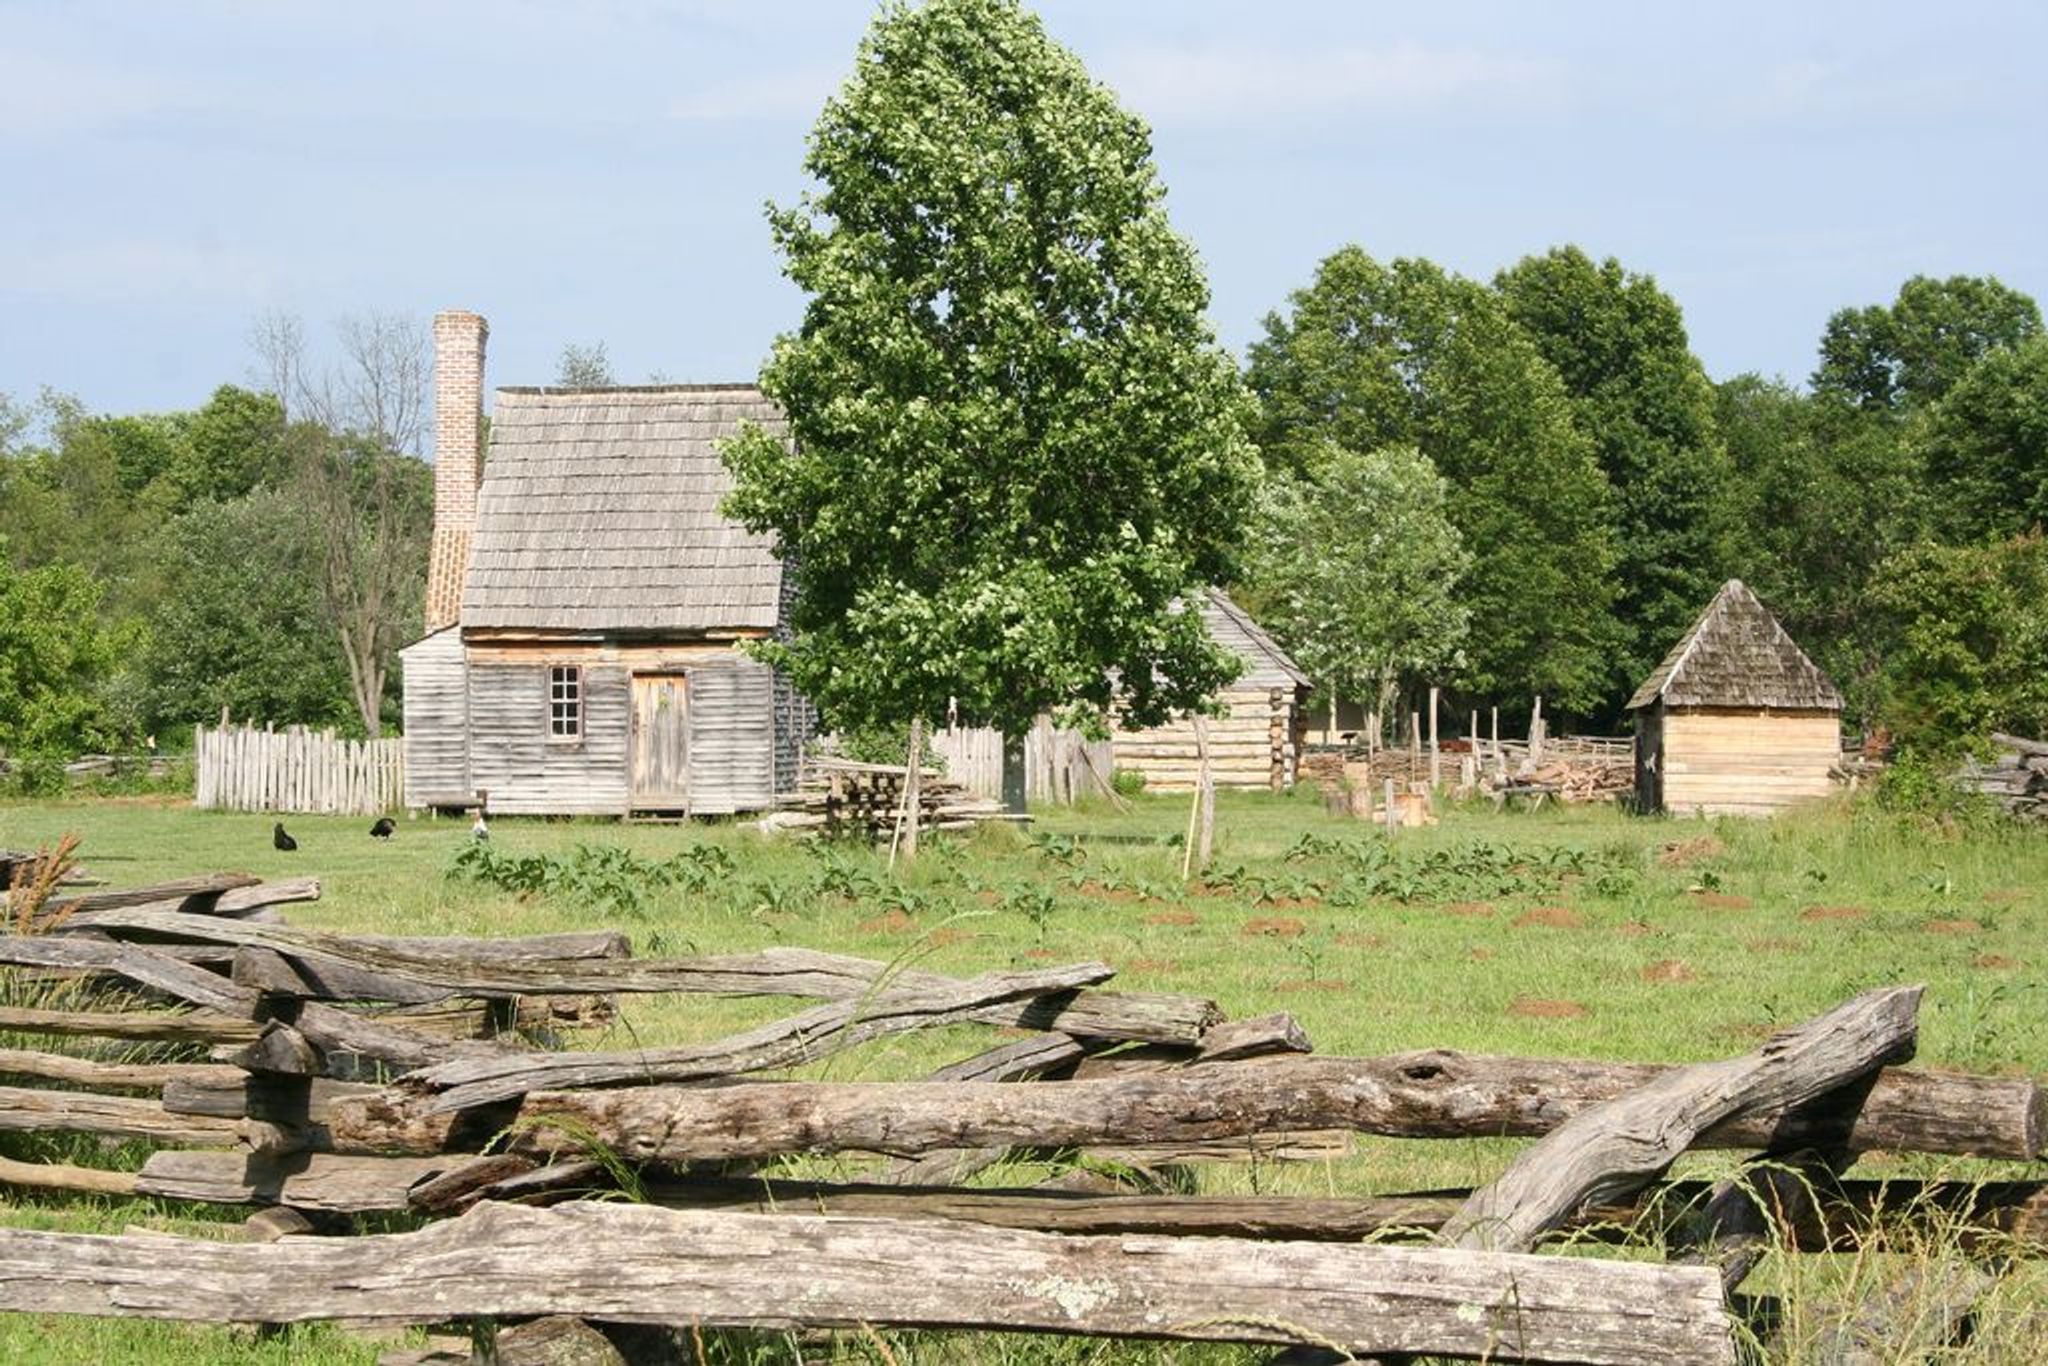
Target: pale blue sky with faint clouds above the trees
(589,171)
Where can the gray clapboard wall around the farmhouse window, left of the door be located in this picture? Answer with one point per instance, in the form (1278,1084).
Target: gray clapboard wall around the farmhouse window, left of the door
(523,769)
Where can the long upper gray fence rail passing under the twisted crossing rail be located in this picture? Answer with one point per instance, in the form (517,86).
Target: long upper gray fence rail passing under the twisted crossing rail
(777,972)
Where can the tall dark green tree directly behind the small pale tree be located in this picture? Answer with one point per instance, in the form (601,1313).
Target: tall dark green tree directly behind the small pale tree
(1379,355)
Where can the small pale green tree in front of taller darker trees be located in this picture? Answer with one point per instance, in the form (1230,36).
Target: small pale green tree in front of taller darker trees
(1357,570)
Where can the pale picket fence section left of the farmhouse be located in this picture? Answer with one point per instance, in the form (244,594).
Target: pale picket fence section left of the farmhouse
(247,769)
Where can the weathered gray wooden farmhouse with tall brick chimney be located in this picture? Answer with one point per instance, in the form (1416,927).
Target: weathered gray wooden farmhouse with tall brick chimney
(587,603)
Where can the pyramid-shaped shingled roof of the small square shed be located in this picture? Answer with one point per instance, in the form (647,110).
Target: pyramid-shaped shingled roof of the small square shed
(1738,656)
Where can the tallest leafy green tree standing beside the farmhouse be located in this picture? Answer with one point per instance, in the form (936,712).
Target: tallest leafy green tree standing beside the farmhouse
(1015,437)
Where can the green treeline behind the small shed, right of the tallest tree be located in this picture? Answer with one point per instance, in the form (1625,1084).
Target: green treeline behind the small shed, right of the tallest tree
(1531,486)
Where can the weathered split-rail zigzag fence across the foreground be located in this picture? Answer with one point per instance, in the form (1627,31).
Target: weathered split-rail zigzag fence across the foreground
(357,1076)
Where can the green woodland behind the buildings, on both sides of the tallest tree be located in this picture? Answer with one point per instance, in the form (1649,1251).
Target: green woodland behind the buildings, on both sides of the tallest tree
(1517,486)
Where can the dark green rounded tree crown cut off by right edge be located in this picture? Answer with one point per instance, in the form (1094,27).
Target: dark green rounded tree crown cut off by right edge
(1986,445)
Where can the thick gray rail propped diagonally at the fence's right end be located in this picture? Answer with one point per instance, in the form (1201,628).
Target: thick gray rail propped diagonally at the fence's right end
(1619,1148)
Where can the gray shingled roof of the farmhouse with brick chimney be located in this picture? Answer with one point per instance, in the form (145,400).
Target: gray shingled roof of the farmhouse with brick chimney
(601,513)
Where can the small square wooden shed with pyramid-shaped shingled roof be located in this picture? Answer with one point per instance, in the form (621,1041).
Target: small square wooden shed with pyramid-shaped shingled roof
(1736,720)
